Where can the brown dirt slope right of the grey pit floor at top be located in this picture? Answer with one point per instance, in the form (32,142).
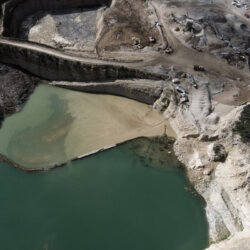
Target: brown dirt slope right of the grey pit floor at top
(126,20)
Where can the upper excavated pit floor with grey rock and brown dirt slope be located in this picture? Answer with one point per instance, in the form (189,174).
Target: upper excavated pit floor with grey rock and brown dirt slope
(97,30)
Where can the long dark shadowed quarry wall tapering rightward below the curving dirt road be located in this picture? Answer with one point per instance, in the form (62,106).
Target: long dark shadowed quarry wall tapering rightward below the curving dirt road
(49,65)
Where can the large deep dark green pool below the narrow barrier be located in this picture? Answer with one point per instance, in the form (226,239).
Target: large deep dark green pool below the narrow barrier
(121,199)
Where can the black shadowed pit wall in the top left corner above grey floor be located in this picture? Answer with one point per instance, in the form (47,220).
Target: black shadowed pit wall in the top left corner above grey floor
(15,11)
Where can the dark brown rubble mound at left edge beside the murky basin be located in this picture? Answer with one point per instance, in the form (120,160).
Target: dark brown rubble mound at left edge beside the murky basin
(15,88)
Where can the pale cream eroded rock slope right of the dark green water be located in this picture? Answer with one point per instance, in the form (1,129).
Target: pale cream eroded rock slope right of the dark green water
(218,165)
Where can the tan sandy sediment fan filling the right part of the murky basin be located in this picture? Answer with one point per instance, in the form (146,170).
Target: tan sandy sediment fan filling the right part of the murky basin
(108,120)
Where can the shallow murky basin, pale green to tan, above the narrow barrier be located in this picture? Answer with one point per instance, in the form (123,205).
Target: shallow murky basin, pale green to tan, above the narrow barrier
(57,125)
